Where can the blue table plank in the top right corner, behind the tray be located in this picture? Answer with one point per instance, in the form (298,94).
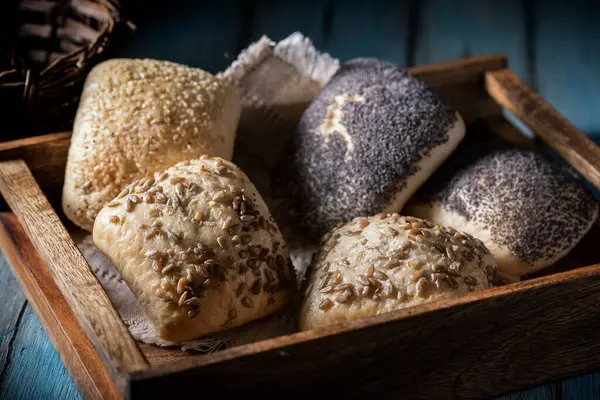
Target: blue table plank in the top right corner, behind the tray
(568,59)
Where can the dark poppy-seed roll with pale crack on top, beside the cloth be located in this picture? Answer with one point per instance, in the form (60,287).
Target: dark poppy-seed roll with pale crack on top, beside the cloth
(372,136)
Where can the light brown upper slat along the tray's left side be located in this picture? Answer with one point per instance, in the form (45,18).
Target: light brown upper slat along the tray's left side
(69,268)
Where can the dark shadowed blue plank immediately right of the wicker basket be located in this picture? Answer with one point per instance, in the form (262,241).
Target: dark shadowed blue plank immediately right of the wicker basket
(200,34)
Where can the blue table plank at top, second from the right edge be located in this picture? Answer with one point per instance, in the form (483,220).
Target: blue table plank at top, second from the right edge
(449,30)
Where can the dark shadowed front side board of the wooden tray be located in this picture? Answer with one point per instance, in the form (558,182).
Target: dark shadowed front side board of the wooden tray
(485,343)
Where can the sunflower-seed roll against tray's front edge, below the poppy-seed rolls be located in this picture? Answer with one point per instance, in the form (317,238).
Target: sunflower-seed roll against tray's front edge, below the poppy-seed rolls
(384,263)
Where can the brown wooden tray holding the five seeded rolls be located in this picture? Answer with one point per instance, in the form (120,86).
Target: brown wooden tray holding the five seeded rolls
(486,343)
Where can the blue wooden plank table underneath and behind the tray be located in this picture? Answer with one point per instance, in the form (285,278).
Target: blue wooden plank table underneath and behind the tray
(554,46)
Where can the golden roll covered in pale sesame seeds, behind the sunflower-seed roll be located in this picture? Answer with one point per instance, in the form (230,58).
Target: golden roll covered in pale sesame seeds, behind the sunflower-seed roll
(140,116)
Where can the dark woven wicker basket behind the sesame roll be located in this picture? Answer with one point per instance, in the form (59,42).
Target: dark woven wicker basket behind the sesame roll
(48,47)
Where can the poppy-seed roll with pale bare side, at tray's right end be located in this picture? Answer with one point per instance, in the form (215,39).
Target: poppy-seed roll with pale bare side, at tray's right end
(528,211)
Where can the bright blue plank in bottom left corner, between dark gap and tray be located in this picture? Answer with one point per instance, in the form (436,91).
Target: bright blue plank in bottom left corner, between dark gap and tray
(35,370)
